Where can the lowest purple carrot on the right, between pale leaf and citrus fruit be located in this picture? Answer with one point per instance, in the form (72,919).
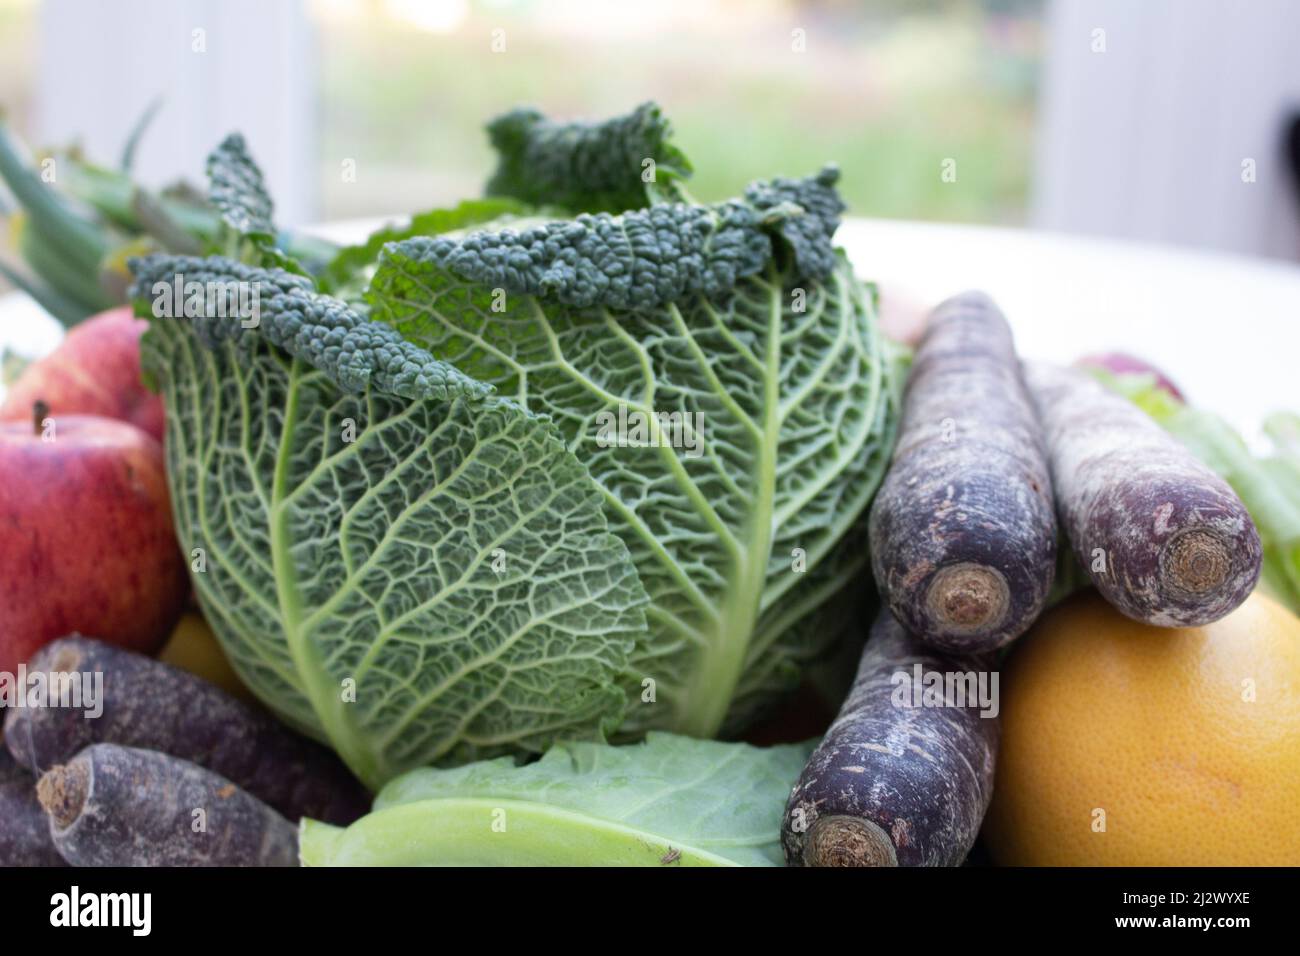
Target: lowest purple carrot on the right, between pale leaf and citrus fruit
(904,776)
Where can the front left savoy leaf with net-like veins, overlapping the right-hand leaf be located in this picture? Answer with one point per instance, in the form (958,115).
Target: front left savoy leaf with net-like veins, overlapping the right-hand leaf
(405,566)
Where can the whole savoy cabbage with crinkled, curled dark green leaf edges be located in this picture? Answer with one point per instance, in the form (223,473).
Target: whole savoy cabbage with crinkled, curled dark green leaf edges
(418,537)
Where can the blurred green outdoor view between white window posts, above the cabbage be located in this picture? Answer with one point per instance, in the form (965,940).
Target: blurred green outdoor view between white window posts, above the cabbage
(887,89)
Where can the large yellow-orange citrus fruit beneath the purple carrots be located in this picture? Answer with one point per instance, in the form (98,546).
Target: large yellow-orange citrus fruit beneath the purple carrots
(1128,746)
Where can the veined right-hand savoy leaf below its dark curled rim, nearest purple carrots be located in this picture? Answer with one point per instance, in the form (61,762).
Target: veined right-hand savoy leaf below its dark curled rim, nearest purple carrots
(798,416)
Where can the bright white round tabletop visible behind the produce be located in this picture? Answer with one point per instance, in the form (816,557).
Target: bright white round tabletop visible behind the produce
(1225,328)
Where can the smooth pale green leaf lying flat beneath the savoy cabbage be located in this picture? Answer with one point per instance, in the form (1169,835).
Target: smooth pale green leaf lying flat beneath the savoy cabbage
(670,802)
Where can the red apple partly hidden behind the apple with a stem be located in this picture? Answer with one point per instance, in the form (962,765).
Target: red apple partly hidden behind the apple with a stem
(94,371)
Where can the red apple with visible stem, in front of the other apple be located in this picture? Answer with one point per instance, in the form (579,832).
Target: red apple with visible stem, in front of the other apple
(86,540)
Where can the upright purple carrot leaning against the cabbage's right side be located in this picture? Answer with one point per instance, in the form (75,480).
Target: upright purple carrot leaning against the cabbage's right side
(963,531)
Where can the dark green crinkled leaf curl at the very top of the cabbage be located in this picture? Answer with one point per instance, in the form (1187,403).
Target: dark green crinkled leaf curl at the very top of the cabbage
(586,167)
